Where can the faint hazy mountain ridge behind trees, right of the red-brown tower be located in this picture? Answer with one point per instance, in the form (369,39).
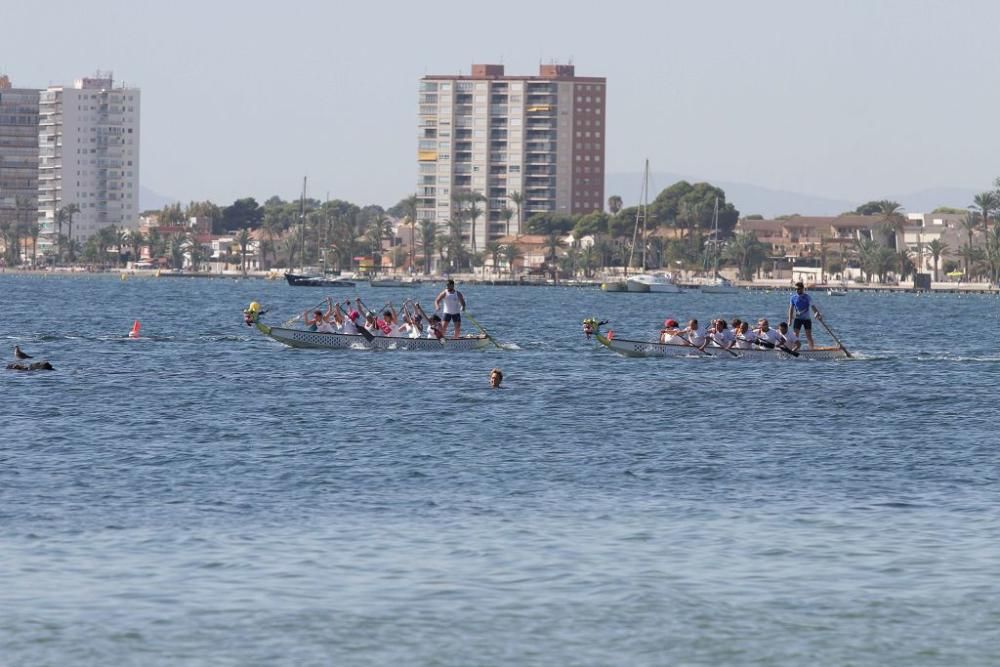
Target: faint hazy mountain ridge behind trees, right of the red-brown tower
(751,199)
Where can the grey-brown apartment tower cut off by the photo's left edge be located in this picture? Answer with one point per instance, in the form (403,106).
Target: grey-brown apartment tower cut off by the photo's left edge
(18,153)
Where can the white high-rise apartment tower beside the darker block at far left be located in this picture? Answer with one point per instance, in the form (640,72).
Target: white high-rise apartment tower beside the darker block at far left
(88,156)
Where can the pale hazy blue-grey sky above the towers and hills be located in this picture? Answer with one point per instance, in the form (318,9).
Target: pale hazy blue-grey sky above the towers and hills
(849,99)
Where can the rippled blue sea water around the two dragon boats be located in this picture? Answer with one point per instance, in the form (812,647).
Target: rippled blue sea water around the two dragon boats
(204,495)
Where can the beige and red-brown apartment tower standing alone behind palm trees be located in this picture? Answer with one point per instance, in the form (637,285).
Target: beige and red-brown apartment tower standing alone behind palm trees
(542,136)
